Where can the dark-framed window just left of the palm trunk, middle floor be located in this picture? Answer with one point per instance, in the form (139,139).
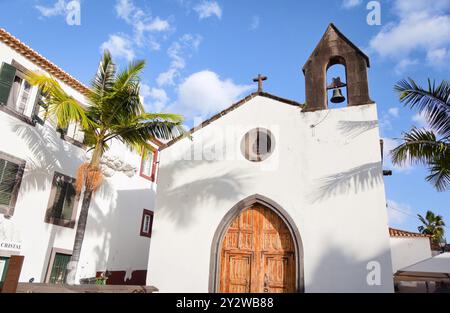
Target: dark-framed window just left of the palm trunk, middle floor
(63,201)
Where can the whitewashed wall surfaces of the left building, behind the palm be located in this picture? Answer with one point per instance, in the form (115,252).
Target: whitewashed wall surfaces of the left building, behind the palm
(112,238)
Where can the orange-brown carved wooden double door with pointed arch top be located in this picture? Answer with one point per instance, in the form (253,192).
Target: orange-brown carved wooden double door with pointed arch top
(257,254)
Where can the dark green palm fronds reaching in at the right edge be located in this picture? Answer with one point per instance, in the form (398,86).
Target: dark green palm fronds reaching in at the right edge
(430,146)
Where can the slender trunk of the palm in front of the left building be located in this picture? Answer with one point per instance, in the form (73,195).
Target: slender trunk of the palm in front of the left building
(82,220)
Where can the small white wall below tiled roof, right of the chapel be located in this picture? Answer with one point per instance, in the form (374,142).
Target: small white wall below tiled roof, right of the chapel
(406,251)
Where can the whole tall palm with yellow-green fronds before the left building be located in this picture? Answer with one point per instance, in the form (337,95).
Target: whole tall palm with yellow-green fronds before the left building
(115,112)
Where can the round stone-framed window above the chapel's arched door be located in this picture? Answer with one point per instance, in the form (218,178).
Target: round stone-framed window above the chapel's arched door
(257,145)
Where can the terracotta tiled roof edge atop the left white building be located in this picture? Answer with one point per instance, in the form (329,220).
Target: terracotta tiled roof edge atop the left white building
(41,61)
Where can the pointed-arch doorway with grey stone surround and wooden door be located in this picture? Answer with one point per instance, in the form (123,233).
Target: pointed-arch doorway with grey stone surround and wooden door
(256,248)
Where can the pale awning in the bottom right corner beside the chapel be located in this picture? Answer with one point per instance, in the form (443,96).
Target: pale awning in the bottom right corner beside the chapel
(435,269)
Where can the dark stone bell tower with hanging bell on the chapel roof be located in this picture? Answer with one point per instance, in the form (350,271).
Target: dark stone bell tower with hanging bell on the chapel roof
(334,48)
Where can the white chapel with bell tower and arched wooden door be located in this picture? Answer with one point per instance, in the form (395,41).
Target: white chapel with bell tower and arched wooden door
(271,196)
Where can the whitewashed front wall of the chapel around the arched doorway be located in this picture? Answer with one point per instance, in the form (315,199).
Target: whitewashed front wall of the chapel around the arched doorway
(327,178)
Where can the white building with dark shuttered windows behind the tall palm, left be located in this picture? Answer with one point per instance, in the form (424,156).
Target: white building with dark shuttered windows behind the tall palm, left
(38,208)
